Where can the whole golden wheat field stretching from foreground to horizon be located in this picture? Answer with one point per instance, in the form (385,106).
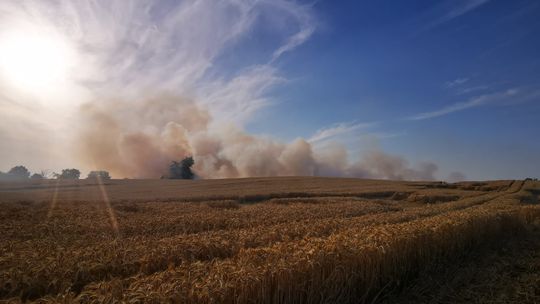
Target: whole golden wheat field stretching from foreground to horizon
(269,240)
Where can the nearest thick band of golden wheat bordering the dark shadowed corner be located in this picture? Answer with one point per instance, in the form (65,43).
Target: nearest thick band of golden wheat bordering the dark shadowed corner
(344,267)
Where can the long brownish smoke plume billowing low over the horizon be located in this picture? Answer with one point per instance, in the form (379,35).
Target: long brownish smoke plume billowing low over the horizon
(140,139)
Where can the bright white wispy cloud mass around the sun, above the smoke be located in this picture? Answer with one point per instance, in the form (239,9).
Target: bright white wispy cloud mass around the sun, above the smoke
(131,49)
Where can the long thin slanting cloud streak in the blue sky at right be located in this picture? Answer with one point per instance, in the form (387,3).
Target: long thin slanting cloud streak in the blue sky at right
(471,103)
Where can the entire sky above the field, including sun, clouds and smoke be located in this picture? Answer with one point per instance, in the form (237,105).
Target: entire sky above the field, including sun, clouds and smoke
(446,90)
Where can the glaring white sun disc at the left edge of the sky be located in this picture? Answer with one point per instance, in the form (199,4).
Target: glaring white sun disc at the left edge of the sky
(34,61)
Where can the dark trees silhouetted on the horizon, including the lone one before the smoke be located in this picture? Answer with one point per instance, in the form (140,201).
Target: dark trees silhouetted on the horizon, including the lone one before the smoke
(177,170)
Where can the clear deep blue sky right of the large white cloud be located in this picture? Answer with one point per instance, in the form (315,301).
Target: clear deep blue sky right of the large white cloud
(385,62)
